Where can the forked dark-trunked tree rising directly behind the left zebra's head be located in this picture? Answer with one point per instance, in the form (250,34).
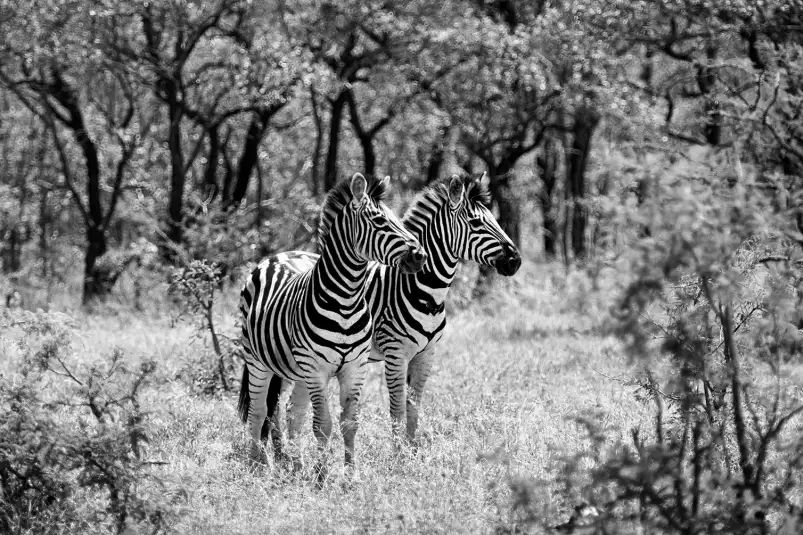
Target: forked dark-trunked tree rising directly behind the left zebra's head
(366,54)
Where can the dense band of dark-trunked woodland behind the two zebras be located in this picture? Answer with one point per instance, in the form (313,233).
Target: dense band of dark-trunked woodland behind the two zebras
(179,123)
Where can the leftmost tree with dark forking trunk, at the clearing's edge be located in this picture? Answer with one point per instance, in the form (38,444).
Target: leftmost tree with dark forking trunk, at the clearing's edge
(43,73)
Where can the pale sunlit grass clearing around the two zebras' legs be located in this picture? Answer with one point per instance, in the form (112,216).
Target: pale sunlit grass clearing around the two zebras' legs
(512,374)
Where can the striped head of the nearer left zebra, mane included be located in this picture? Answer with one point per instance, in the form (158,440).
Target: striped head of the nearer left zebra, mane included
(373,231)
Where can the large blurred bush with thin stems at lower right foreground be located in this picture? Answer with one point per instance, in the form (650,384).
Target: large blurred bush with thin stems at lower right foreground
(711,294)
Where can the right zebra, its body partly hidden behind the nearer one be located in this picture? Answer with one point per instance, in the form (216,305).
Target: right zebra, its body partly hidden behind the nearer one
(452,221)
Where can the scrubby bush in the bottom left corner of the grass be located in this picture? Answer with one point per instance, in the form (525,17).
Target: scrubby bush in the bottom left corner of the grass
(72,452)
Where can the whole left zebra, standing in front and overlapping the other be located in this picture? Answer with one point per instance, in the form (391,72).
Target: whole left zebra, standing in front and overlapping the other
(305,317)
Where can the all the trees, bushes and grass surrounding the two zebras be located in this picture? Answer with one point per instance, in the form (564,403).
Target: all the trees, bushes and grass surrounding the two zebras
(641,374)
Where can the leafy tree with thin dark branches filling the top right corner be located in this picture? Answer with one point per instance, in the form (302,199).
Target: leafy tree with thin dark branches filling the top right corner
(727,76)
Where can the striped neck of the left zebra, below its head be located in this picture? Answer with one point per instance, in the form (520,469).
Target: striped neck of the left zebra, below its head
(338,280)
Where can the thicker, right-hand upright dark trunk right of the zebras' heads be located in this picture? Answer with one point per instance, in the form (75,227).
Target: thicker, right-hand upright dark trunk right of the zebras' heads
(585,122)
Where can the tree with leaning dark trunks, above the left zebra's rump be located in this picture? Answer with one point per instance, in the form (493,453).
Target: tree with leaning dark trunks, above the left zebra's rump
(254,73)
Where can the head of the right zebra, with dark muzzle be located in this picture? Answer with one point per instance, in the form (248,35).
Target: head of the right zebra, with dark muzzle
(475,234)
